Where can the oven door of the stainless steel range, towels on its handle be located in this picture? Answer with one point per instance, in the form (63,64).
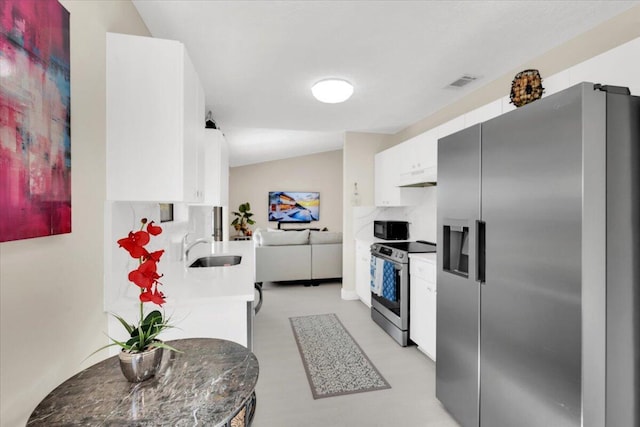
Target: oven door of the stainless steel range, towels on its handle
(394,306)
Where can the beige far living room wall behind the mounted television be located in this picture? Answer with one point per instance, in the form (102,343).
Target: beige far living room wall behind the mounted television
(317,172)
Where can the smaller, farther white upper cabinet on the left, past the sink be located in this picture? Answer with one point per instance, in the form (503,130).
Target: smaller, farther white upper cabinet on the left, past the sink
(216,168)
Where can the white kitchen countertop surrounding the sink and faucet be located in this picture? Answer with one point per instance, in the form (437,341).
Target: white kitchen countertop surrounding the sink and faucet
(185,286)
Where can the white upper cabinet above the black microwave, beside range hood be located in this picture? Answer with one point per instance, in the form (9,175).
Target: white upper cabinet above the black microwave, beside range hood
(386,190)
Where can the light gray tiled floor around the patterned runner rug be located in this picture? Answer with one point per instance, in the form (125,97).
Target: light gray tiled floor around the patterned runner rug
(284,396)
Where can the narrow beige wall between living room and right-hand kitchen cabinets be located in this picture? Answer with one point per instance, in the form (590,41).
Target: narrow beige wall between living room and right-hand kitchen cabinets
(359,153)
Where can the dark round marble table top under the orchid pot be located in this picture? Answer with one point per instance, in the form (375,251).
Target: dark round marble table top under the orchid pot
(204,385)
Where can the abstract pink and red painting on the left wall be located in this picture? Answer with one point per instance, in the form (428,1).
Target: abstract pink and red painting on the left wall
(35,119)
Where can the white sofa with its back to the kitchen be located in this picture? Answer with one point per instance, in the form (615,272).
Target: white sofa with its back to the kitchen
(297,255)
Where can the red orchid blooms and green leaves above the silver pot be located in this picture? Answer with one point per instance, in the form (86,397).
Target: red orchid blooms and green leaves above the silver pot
(143,336)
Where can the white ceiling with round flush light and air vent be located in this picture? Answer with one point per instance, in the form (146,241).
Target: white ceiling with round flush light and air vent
(258,59)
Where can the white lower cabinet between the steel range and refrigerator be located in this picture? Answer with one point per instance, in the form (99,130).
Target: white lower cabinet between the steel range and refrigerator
(422,303)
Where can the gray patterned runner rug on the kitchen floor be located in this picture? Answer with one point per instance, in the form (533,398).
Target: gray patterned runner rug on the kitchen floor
(334,362)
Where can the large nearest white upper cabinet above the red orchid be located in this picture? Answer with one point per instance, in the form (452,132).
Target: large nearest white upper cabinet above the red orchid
(155,121)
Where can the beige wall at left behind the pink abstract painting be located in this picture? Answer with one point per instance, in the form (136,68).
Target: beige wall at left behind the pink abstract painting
(51,313)
